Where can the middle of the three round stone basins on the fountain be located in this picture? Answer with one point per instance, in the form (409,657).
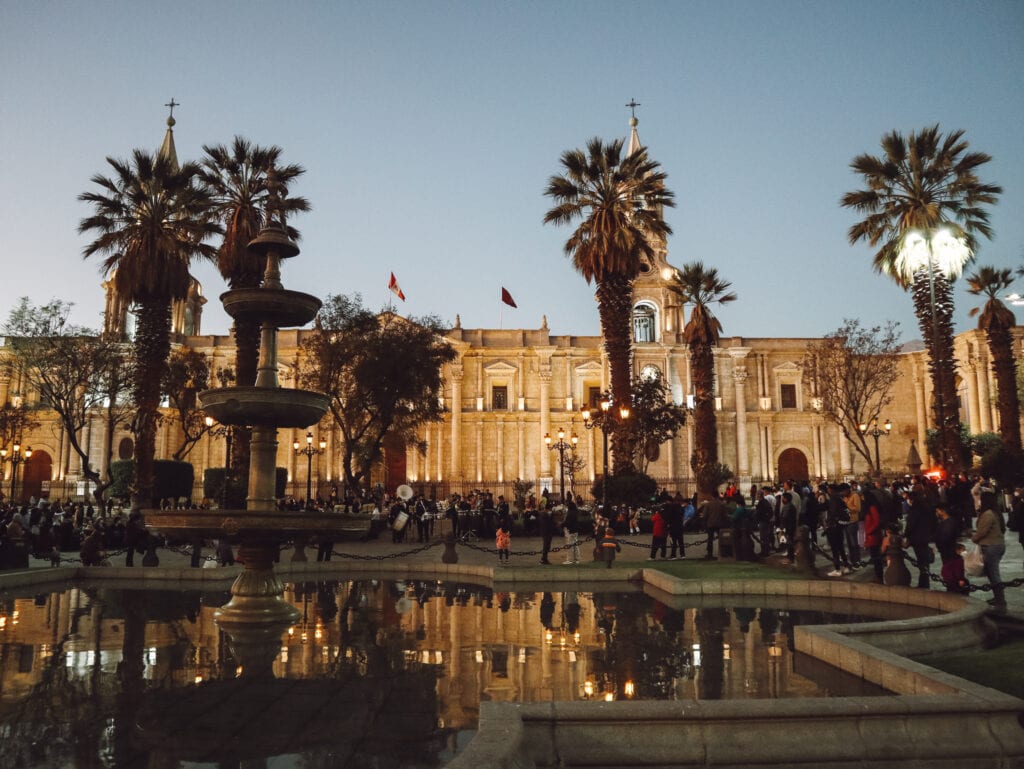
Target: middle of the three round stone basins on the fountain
(265,406)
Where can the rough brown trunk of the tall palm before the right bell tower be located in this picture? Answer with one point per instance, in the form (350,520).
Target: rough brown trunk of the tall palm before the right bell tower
(615,294)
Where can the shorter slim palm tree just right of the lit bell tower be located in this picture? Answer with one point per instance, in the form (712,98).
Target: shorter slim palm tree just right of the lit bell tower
(702,287)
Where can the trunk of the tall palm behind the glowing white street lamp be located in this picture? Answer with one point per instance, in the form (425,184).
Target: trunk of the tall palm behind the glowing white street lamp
(936,326)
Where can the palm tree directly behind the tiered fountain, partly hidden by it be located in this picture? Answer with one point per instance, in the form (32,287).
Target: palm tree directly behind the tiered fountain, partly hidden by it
(241,180)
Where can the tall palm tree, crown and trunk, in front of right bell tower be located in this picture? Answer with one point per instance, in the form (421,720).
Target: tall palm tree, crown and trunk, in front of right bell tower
(620,204)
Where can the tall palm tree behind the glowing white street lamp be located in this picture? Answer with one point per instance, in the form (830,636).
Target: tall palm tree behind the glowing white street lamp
(925,207)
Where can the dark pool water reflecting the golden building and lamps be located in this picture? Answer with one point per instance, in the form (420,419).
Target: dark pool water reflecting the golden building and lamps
(373,673)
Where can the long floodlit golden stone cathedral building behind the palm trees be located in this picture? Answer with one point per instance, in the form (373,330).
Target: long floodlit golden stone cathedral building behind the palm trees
(508,389)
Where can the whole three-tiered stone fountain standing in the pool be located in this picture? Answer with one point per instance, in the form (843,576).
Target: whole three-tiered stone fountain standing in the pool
(258,614)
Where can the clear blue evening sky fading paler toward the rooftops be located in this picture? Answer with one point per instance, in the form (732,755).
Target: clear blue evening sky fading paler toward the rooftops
(430,130)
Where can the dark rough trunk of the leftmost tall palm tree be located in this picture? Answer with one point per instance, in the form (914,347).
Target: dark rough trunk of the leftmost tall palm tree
(153,347)
